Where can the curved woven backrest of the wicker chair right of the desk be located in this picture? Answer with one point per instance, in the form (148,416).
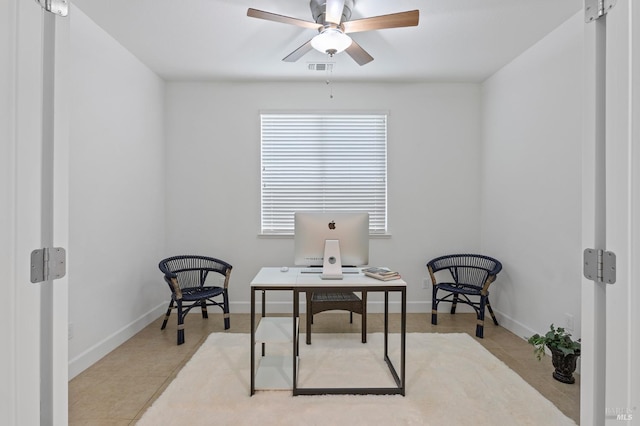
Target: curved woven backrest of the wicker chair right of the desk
(469,269)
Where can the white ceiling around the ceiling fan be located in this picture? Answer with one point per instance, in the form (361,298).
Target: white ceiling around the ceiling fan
(456,40)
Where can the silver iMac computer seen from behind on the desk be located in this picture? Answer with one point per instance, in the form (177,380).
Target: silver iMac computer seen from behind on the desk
(331,240)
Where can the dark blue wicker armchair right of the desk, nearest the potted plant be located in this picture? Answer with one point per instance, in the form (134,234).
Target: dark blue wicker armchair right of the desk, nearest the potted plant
(470,276)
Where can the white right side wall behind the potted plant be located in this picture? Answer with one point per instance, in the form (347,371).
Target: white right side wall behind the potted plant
(531,204)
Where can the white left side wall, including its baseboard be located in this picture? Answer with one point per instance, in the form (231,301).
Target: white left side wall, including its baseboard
(116,194)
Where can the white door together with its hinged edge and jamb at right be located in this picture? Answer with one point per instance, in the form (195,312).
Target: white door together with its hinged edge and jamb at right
(611,333)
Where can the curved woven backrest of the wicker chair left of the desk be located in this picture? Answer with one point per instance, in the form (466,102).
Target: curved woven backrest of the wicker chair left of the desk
(191,271)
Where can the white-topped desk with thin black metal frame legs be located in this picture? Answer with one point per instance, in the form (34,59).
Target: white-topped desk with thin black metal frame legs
(272,279)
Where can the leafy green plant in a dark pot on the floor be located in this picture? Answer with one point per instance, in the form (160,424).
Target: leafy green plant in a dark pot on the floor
(564,352)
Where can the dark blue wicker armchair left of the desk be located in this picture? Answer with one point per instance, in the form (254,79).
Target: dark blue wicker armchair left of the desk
(187,279)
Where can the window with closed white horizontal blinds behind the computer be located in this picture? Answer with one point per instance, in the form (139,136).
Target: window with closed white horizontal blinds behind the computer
(321,162)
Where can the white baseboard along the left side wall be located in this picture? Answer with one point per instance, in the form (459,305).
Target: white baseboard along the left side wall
(92,355)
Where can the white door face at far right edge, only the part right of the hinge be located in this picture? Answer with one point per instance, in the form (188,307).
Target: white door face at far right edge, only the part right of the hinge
(623,211)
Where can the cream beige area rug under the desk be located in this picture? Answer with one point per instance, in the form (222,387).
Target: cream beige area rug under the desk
(451,380)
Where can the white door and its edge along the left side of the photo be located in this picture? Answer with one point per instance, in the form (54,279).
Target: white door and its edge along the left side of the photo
(33,213)
